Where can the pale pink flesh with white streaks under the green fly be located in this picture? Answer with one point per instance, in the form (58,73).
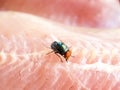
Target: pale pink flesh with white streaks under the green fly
(25,65)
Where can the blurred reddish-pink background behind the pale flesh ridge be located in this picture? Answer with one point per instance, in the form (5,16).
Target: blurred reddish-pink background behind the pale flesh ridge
(83,13)
